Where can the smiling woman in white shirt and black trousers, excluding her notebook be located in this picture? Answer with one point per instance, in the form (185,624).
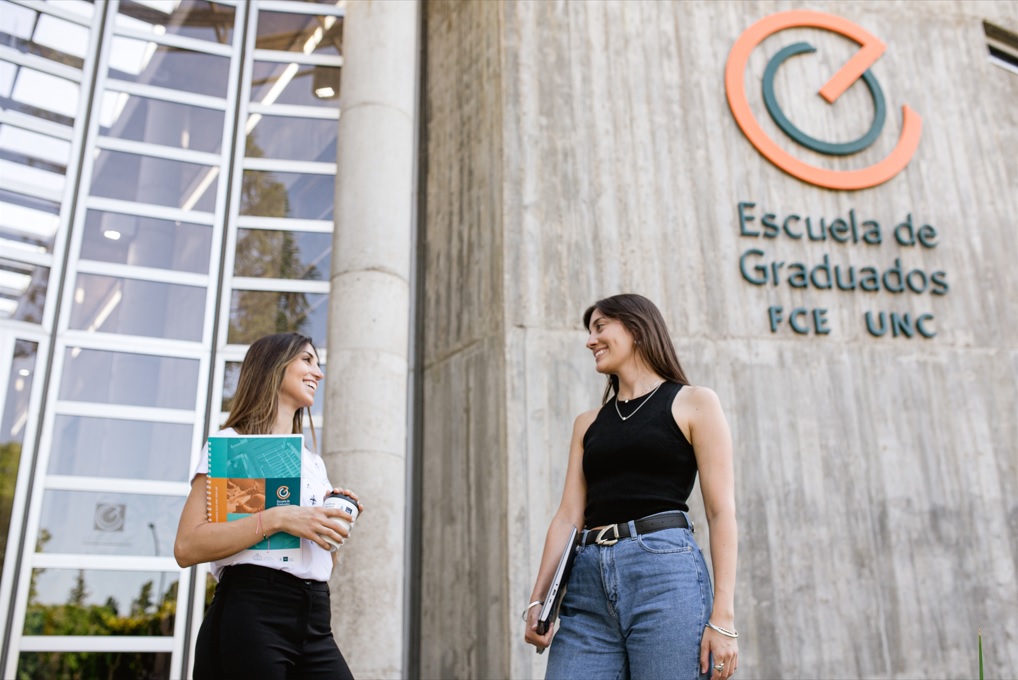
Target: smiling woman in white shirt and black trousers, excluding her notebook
(269,619)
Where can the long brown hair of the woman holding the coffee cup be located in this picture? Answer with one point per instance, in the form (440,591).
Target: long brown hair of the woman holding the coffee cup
(256,402)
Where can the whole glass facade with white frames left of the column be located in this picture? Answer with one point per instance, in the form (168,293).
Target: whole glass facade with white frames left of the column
(167,175)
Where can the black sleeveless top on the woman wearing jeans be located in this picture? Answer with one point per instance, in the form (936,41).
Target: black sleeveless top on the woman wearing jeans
(639,467)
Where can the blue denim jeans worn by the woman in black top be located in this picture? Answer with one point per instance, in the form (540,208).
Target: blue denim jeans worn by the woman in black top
(634,610)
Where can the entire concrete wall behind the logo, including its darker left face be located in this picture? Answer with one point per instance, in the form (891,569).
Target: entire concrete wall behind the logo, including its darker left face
(579,150)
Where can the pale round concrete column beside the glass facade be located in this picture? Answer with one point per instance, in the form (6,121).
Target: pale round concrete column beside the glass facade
(365,440)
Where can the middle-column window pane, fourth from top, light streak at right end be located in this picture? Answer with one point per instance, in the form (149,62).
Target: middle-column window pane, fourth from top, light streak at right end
(154,181)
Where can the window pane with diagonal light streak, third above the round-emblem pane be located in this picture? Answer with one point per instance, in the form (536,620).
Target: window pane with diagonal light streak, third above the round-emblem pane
(131,307)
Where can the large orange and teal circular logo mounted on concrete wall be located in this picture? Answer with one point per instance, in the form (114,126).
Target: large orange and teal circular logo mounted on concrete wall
(857,68)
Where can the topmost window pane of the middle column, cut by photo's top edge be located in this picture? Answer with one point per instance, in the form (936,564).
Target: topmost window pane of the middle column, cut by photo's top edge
(194,19)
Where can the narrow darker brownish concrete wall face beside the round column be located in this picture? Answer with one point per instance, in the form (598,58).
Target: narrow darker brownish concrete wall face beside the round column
(465,594)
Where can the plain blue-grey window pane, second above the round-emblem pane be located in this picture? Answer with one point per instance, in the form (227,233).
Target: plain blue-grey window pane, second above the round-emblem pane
(122,378)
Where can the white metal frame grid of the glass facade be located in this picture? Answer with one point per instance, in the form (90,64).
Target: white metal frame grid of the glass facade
(55,337)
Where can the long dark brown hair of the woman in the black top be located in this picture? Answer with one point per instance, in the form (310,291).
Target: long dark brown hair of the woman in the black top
(644,321)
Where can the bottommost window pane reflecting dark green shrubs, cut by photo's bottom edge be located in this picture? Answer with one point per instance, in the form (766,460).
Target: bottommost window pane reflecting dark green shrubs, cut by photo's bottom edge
(115,665)
